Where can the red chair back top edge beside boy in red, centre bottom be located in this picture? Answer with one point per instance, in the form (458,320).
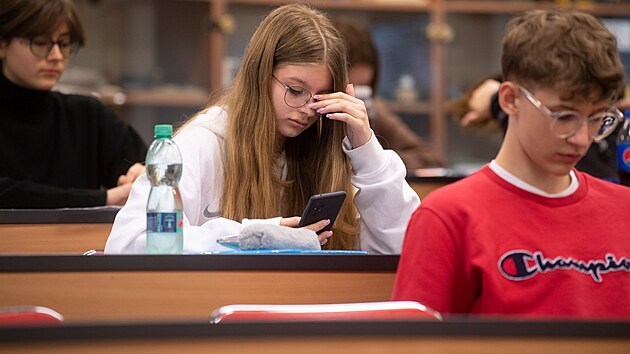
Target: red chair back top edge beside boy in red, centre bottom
(364,311)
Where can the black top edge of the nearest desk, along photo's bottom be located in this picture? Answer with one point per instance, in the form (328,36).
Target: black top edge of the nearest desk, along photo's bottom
(448,328)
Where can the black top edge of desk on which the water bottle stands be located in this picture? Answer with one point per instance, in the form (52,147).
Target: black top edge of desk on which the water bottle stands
(266,262)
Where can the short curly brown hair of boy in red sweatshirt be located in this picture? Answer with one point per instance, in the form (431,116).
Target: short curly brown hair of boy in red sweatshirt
(564,49)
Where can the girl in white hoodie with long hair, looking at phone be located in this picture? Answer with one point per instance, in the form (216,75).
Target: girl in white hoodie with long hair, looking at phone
(288,128)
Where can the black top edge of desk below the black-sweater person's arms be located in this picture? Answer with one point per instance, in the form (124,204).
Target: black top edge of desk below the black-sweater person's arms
(100,215)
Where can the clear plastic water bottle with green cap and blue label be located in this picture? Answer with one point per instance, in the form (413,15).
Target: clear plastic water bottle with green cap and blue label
(164,207)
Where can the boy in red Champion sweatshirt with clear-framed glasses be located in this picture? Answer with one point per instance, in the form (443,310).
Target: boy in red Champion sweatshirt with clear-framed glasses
(528,235)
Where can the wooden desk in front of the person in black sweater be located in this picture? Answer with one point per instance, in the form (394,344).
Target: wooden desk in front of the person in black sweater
(58,231)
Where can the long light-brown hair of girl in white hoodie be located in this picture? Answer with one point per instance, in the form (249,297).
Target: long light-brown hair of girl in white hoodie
(291,34)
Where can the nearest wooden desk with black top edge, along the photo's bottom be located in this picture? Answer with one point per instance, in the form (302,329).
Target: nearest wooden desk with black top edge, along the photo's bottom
(463,336)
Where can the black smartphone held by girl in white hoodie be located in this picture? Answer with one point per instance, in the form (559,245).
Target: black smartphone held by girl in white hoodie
(322,206)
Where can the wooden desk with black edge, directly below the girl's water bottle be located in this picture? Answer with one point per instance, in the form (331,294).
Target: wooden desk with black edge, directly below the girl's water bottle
(190,287)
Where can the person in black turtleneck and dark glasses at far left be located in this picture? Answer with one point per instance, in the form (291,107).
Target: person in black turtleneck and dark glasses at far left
(56,150)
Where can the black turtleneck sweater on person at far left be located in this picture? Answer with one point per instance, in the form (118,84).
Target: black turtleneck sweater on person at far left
(59,150)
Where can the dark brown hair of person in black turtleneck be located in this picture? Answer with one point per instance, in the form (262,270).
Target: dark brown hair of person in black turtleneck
(32,18)
